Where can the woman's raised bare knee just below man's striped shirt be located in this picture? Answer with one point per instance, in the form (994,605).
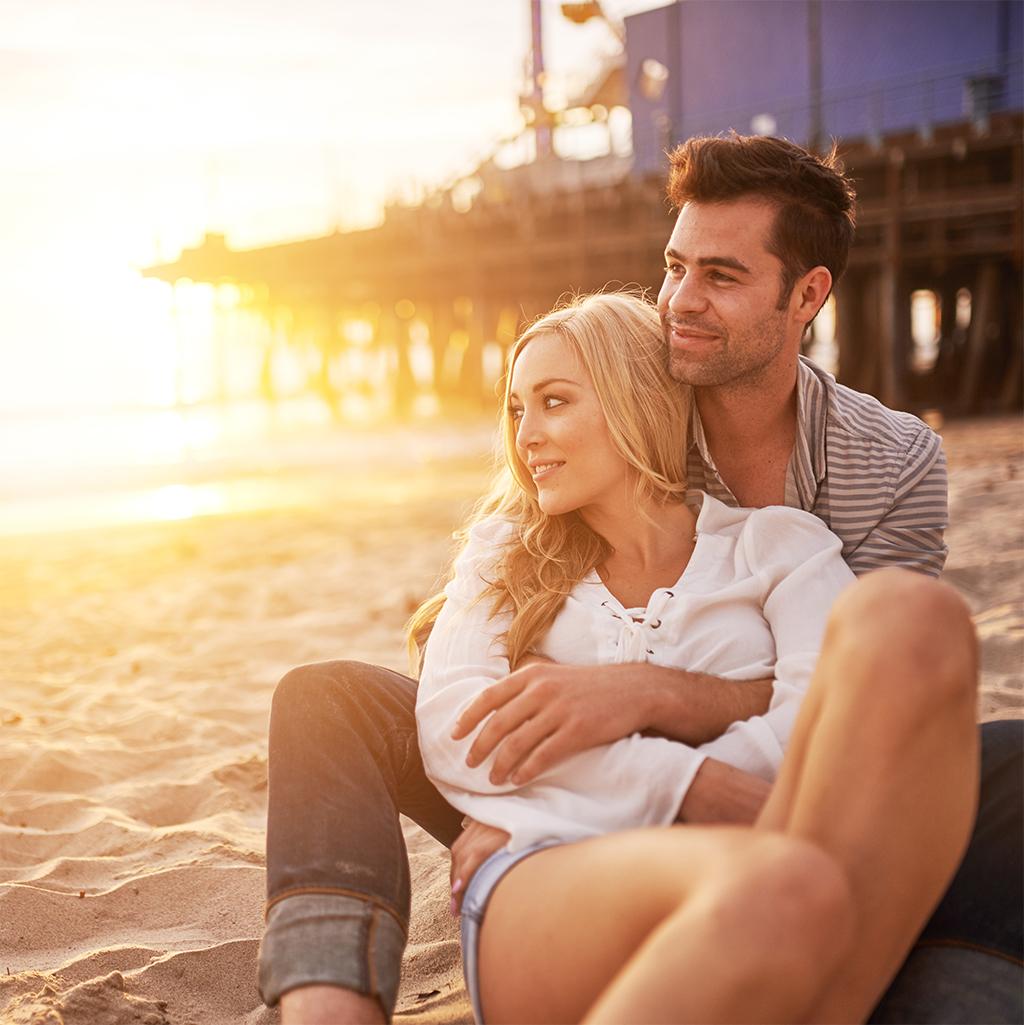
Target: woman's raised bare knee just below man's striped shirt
(908,635)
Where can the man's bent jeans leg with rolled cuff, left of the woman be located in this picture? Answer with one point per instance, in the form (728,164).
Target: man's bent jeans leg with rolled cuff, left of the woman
(344,763)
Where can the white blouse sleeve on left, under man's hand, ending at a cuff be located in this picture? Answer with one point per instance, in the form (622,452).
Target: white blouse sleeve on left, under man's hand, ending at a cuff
(636,782)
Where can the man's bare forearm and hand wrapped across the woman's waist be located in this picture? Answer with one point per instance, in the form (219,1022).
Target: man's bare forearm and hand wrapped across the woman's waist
(545,713)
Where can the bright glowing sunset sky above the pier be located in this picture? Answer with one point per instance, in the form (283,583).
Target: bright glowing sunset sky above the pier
(131,128)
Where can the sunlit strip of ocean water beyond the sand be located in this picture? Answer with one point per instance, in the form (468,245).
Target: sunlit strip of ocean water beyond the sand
(69,470)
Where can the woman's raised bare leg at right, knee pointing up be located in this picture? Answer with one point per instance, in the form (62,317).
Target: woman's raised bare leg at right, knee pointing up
(882,771)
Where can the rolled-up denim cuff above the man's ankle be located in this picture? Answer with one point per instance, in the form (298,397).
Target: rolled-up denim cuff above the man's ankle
(335,940)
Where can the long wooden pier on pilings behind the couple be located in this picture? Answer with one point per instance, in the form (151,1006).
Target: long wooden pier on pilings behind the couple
(943,214)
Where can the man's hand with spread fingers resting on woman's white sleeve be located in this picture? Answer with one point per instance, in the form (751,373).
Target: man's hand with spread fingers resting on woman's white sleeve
(544,713)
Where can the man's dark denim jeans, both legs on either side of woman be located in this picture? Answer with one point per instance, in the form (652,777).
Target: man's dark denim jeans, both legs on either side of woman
(345,763)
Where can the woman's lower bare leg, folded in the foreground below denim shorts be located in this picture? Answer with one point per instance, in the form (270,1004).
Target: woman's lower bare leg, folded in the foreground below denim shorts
(687,922)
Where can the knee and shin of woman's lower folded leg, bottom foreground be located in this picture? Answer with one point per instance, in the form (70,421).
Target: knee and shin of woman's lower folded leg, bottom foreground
(756,945)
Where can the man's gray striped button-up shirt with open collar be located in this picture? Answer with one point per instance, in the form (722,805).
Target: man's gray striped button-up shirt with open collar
(876,477)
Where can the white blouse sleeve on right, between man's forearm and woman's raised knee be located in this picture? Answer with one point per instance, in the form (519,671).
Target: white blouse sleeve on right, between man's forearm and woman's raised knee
(802,571)
